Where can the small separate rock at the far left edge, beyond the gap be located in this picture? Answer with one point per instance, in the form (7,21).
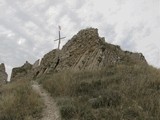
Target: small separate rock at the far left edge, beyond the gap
(3,74)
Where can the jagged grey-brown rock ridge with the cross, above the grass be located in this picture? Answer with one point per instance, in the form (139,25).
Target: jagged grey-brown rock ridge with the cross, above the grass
(85,51)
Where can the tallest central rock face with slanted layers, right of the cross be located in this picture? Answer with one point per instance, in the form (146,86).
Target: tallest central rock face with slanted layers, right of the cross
(82,51)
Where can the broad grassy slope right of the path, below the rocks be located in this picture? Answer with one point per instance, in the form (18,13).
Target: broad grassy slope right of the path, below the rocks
(119,92)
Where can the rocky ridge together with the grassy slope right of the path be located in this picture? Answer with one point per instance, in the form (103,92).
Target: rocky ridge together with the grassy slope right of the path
(94,80)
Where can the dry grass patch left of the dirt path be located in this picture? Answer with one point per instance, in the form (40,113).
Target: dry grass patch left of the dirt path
(19,102)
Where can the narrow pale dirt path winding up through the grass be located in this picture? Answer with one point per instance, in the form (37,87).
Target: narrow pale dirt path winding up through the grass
(50,112)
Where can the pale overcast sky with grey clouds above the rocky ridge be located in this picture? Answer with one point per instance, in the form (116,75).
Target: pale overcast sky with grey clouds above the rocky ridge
(28,27)
